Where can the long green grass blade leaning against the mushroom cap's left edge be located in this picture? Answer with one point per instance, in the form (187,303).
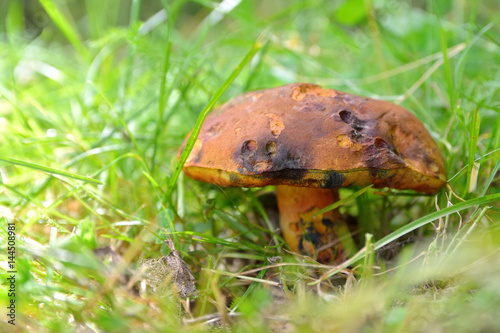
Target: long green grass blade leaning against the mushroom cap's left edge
(197,127)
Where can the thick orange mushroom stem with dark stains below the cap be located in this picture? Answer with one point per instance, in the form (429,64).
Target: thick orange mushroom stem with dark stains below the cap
(313,236)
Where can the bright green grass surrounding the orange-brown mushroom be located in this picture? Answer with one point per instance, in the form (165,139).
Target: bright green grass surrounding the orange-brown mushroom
(96,98)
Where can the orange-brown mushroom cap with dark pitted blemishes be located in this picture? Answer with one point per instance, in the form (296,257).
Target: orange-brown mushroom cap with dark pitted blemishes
(303,135)
